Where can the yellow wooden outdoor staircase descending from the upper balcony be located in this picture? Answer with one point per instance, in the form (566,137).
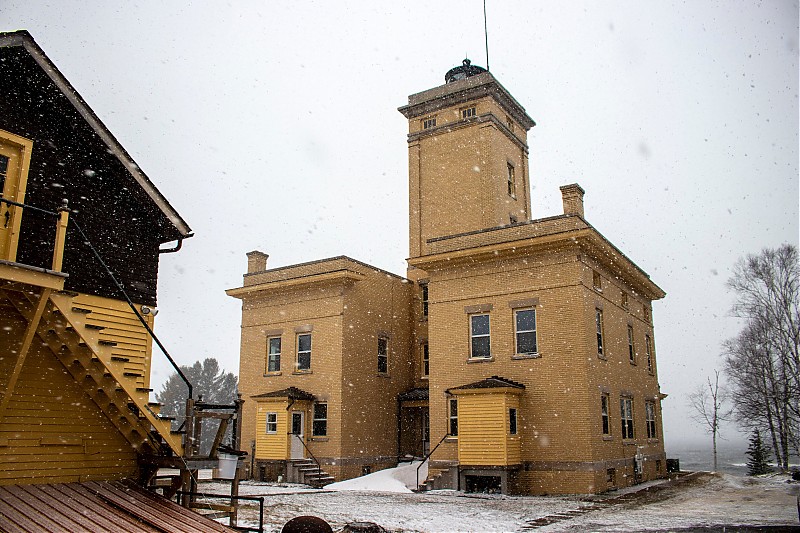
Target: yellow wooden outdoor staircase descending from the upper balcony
(112,381)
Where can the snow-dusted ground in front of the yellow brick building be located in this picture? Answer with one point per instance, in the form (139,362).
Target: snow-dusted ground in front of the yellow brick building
(381,497)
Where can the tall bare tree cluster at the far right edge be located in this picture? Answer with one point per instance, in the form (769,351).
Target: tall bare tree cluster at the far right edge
(763,361)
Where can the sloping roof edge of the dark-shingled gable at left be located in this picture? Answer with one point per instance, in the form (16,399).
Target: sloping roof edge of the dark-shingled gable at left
(23,39)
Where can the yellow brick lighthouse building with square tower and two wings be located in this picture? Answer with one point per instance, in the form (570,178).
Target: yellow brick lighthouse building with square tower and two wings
(520,352)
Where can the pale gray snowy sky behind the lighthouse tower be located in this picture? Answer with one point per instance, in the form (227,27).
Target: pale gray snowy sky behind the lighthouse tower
(273,126)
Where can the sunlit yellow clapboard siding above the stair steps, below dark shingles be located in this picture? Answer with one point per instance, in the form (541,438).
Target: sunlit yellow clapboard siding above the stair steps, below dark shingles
(123,327)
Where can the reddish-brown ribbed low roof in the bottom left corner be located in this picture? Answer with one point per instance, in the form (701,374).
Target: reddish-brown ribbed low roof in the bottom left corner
(96,506)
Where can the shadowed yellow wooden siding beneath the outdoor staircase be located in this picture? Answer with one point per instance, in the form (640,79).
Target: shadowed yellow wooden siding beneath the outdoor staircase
(52,431)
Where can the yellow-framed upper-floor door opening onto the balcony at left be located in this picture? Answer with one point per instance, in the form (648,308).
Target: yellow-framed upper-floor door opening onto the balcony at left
(14,160)
